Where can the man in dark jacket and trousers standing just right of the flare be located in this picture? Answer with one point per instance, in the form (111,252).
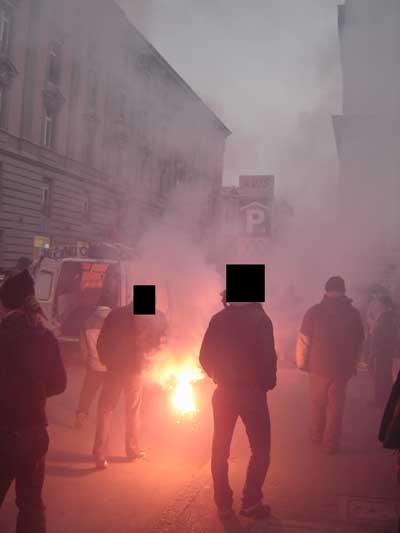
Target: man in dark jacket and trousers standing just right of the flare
(238,353)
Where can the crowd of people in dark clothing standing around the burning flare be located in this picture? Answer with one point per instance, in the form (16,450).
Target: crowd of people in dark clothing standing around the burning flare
(237,353)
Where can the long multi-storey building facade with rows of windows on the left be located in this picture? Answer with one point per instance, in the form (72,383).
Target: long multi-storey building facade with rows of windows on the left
(96,128)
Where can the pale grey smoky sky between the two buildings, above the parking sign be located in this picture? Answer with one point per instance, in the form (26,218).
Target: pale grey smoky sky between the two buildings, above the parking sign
(268,68)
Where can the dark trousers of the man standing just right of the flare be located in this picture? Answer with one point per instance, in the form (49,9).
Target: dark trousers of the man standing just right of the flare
(251,406)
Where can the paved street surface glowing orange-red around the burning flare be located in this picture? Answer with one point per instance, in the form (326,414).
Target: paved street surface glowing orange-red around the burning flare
(171,490)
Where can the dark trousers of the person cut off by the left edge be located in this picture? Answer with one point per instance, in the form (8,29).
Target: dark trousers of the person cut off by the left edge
(28,474)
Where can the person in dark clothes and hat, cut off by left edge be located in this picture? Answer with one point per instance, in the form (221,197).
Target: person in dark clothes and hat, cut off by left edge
(31,370)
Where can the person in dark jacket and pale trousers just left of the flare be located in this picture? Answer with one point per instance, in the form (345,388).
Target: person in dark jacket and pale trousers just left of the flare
(123,344)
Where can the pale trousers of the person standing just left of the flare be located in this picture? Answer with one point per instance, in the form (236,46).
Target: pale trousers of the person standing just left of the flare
(114,384)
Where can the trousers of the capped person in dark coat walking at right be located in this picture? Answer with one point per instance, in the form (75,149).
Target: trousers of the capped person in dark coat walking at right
(327,407)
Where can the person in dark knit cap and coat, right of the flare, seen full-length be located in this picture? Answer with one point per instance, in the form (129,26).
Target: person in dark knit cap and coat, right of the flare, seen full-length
(329,347)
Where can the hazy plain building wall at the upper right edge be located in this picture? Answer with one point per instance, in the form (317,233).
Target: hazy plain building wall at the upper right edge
(368,131)
